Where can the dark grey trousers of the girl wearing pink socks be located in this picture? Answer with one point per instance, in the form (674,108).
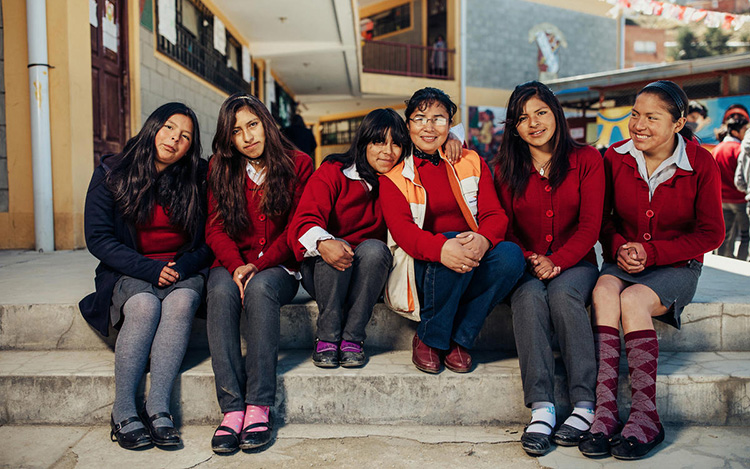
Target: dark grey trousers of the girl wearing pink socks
(252,380)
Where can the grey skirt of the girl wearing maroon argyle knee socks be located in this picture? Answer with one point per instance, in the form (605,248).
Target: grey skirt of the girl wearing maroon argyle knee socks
(675,286)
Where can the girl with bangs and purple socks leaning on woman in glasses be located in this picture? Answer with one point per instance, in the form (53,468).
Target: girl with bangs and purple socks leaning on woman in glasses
(339,234)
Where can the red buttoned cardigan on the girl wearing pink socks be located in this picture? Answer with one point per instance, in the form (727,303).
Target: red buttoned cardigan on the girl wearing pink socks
(266,235)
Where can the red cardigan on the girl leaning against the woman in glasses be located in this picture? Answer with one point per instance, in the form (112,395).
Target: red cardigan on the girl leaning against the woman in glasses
(344,207)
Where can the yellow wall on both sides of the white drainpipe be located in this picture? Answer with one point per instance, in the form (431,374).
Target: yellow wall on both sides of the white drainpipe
(70,116)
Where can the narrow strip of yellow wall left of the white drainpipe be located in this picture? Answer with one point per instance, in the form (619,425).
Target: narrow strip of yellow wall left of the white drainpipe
(17,225)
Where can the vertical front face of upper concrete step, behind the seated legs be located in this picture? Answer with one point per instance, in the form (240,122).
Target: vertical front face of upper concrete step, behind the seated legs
(706,327)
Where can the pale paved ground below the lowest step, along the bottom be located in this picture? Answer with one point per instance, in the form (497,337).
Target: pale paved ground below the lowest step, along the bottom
(305,446)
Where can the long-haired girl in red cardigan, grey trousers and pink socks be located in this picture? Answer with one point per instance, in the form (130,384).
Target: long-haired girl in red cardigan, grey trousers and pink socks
(256,178)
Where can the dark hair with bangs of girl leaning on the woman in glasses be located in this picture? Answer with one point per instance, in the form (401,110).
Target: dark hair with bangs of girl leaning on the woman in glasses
(373,129)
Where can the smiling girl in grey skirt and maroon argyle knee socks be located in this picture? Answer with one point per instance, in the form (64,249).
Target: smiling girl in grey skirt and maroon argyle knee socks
(662,212)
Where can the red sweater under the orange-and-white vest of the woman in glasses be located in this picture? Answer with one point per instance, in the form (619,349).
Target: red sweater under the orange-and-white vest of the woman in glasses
(442,214)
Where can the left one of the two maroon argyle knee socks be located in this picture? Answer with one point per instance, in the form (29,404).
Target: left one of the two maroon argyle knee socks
(607,348)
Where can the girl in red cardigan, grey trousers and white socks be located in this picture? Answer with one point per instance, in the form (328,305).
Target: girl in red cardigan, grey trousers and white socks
(552,190)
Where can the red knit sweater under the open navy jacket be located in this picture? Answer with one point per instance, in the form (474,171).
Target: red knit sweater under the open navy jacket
(158,239)
